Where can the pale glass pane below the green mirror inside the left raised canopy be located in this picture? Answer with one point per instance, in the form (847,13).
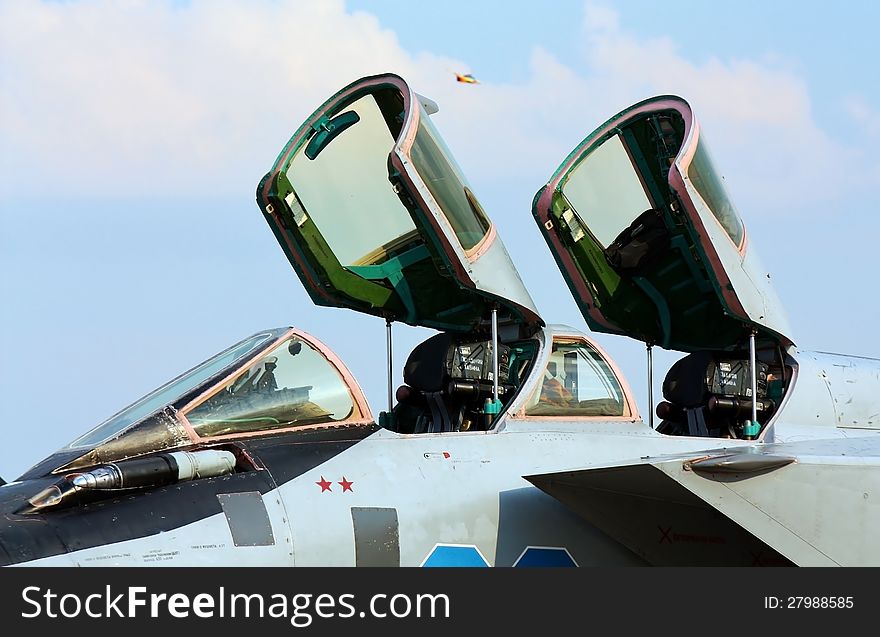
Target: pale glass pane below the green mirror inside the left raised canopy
(346,192)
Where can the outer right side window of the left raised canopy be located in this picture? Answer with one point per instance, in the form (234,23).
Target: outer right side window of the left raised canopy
(445,180)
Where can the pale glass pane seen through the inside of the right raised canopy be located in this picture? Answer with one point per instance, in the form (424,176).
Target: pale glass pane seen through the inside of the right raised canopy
(605,191)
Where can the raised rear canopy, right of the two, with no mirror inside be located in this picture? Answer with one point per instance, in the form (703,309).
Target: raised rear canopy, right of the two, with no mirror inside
(644,232)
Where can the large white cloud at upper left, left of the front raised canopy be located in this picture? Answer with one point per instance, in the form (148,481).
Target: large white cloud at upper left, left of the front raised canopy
(146,96)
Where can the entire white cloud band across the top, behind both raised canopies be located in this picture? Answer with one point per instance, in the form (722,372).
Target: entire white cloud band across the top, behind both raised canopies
(101,96)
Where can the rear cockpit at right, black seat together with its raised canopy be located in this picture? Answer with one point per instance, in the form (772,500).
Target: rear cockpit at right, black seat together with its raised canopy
(641,224)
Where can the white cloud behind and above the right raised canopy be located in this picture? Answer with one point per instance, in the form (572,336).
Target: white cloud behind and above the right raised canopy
(757,115)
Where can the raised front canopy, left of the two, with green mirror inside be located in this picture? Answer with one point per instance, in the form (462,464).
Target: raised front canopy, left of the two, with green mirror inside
(374,214)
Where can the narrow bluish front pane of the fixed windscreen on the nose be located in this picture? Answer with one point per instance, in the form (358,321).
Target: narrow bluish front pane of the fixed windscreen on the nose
(171,391)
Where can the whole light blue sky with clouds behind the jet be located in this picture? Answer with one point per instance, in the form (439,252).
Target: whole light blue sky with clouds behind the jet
(133,135)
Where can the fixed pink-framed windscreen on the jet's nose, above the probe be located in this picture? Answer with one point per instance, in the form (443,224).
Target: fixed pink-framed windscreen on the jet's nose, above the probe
(276,380)
